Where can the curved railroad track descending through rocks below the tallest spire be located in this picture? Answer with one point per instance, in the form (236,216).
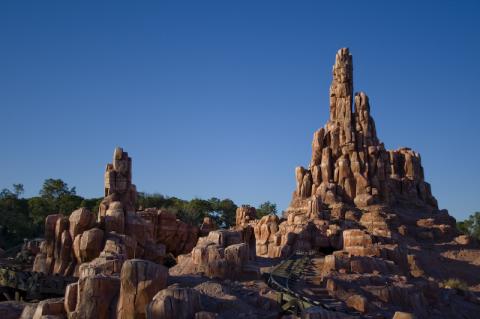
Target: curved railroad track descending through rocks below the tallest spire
(294,279)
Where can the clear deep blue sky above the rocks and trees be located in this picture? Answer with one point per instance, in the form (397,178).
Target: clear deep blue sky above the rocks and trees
(221,98)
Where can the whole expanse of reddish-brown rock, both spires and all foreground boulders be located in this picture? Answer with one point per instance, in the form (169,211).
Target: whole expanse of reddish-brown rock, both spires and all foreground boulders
(381,246)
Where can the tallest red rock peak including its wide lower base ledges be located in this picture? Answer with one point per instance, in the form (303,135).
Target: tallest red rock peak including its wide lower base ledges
(352,179)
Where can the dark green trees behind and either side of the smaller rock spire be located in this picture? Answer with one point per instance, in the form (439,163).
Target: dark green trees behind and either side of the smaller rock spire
(24,217)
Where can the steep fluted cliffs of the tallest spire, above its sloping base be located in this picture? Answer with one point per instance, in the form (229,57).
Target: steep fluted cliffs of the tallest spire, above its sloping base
(349,164)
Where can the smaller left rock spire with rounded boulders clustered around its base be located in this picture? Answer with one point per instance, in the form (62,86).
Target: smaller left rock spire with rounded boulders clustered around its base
(101,244)
